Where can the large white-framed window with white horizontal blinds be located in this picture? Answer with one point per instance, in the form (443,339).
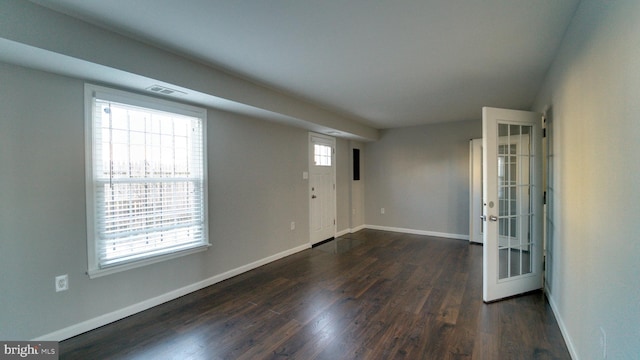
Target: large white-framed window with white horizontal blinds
(146,180)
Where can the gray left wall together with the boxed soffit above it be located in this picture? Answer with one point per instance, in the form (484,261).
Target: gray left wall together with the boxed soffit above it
(255,171)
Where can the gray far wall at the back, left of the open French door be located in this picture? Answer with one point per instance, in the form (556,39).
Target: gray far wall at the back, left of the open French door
(420,175)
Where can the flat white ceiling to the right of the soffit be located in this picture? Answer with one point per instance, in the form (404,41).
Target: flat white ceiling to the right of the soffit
(386,63)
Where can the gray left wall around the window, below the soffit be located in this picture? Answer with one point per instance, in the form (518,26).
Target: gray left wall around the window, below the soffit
(256,189)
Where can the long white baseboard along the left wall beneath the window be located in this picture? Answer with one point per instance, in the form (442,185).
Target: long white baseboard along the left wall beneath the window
(105,319)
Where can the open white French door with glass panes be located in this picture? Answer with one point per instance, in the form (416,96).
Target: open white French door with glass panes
(512,202)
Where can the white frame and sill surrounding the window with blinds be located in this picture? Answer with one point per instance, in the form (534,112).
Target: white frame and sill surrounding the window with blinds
(92,92)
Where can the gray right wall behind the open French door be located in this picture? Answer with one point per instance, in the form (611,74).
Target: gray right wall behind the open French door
(592,96)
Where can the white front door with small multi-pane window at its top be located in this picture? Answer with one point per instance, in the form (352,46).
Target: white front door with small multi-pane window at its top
(322,190)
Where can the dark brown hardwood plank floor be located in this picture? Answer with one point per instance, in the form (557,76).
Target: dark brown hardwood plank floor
(368,295)
